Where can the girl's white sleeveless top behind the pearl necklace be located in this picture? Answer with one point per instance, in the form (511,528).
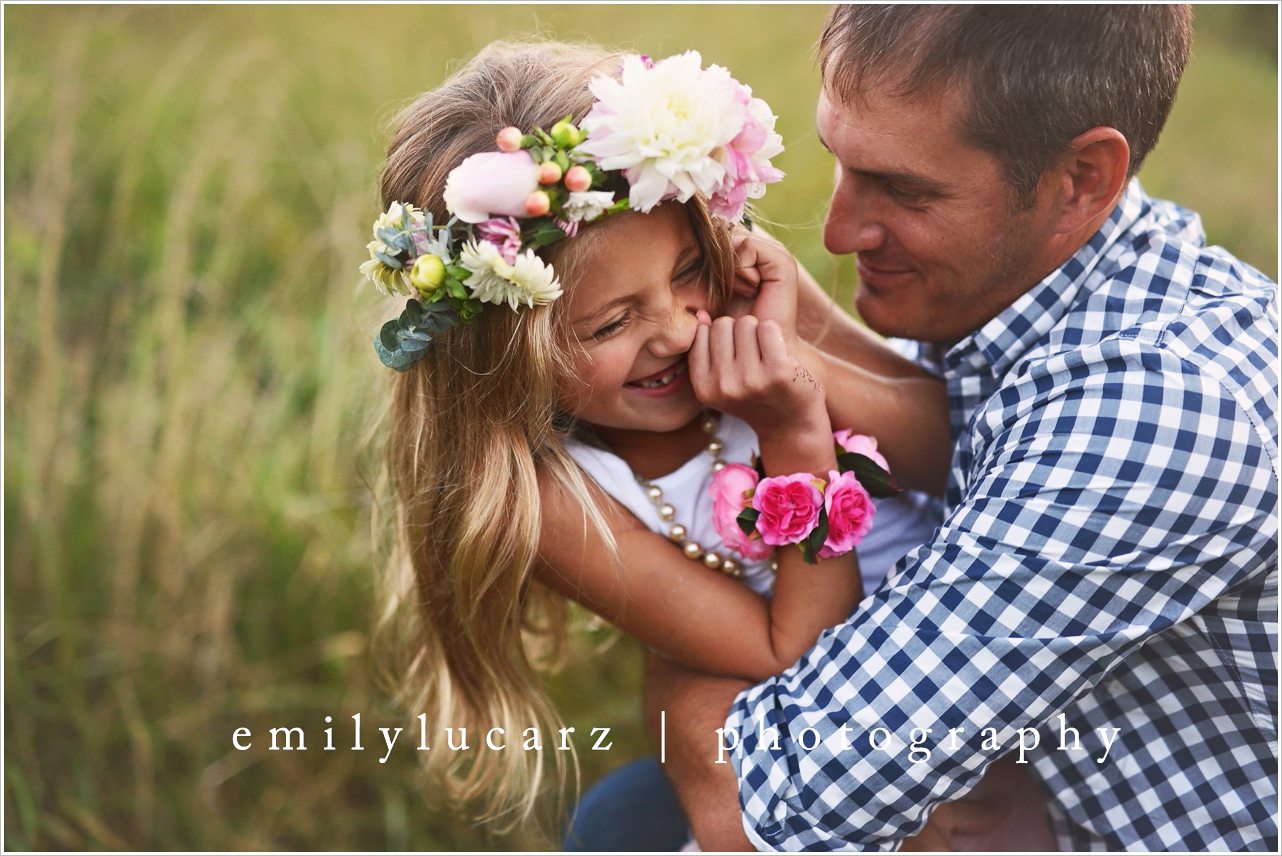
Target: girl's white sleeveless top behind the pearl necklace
(899,523)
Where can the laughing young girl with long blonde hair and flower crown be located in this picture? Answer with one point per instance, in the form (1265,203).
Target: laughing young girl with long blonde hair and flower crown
(565,398)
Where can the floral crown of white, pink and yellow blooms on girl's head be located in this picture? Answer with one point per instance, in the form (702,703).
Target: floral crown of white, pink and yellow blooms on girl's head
(657,131)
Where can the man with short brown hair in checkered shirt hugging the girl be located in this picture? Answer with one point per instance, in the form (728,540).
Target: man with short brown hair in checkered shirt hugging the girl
(1103,593)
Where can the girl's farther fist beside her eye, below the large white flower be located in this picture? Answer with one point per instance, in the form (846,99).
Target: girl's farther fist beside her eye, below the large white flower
(766,283)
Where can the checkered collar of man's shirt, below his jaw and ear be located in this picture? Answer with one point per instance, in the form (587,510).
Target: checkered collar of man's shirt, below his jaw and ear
(1012,333)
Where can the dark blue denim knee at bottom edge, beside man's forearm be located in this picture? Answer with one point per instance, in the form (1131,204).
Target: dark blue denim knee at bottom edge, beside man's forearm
(633,808)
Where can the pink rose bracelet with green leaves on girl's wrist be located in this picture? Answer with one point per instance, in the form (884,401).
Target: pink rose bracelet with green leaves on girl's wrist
(754,513)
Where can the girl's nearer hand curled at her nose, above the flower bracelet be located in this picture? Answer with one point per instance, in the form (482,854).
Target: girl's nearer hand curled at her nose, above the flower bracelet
(743,367)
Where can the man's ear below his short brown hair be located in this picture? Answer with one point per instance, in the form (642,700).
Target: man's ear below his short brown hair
(1090,176)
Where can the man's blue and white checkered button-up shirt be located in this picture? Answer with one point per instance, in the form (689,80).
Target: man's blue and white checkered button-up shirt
(1108,561)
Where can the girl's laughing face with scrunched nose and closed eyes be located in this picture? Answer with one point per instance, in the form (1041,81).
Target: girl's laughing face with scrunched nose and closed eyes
(633,316)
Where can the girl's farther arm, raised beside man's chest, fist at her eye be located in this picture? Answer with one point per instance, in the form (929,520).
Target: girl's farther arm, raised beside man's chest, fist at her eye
(871,389)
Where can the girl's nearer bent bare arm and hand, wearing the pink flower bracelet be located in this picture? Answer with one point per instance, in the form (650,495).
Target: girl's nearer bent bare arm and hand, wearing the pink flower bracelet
(688,613)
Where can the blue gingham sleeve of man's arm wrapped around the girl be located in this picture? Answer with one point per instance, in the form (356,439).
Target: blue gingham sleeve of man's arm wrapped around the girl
(1111,495)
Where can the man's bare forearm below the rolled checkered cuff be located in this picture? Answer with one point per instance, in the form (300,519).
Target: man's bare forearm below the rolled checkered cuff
(697,707)
